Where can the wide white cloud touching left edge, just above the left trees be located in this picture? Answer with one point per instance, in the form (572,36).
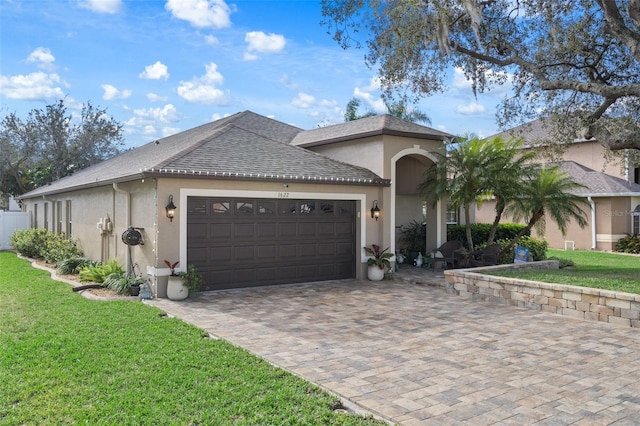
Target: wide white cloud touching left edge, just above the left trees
(34,86)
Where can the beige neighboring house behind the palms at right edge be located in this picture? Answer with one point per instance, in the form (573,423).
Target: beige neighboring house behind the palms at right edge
(612,199)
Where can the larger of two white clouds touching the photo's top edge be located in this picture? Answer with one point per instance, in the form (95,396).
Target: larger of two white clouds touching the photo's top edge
(201,13)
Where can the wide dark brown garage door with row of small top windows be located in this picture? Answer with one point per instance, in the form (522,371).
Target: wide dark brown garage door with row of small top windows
(251,242)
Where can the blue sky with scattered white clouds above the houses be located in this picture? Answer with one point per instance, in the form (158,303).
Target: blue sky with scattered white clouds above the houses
(163,66)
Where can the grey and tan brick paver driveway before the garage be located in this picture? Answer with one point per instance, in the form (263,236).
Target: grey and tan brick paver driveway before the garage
(416,355)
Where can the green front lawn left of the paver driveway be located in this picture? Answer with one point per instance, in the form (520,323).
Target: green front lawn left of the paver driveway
(65,359)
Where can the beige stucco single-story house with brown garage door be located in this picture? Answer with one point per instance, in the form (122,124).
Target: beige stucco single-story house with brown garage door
(258,202)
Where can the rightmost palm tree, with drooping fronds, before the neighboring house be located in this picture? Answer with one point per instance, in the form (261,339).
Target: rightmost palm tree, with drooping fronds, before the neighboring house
(549,193)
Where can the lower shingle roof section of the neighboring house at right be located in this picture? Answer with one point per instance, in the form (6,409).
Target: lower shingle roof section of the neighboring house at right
(598,184)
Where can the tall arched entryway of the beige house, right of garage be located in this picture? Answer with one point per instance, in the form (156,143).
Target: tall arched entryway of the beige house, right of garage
(408,205)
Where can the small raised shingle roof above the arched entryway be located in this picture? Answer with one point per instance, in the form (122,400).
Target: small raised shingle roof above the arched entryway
(365,127)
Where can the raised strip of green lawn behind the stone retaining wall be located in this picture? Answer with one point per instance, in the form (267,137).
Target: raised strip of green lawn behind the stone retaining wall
(608,271)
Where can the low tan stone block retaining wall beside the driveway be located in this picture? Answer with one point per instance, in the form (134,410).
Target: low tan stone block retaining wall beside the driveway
(578,302)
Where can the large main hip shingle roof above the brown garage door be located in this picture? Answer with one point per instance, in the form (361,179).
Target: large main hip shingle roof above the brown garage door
(242,146)
